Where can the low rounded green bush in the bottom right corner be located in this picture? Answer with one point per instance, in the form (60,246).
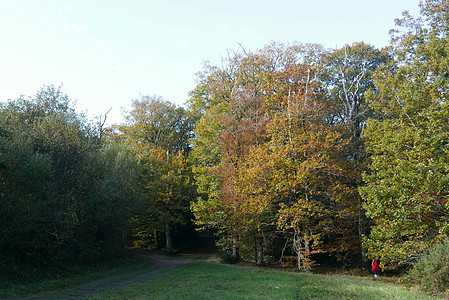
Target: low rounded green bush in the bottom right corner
(431,271)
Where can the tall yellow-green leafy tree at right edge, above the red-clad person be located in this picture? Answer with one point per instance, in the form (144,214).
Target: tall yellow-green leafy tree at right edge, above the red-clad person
(406,192)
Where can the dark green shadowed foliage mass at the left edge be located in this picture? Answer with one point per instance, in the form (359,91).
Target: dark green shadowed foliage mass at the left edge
(65,196)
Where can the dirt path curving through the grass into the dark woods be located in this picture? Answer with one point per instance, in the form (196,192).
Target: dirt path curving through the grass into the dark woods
(161,264)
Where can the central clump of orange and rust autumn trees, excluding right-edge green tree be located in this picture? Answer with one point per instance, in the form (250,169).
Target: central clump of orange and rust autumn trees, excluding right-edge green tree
(277,150)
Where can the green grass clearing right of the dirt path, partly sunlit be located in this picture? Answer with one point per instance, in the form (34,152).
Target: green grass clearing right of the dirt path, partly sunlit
(206,280)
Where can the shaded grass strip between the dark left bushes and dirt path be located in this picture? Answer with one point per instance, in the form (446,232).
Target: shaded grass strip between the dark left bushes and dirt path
(32,283)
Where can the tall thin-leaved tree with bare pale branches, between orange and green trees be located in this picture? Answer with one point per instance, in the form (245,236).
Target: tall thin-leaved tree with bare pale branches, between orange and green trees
(347,74)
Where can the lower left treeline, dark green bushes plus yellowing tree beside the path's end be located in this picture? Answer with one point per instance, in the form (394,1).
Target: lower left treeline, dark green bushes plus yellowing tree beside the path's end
(75,192)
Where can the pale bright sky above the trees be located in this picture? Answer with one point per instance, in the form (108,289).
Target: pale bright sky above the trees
(105,53)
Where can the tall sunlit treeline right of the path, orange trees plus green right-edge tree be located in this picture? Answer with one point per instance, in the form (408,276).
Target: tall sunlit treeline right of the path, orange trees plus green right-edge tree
(306,153)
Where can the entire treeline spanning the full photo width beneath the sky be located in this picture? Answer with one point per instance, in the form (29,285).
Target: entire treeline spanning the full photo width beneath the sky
(293,153)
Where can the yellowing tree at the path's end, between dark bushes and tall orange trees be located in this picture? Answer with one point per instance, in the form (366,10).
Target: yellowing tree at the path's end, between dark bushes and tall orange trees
(158,132)
